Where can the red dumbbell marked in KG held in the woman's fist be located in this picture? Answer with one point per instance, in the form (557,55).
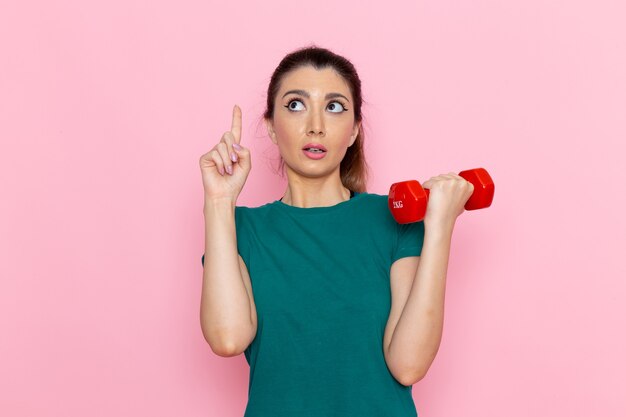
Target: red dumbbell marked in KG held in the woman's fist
(408,200)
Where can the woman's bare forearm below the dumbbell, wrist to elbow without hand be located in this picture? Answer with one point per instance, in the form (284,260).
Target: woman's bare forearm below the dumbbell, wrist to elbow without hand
(417,336)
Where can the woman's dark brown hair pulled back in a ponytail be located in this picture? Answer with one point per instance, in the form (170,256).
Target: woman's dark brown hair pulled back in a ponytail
(353,168)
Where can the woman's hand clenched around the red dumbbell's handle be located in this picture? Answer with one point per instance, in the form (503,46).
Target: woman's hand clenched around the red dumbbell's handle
(447,198)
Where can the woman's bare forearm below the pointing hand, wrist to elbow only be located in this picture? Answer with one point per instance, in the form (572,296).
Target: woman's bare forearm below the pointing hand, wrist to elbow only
(227,310)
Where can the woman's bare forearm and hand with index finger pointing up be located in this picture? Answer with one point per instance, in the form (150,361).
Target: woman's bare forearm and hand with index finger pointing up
(227,311)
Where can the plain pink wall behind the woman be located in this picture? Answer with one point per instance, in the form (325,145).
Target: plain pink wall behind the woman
(106,108)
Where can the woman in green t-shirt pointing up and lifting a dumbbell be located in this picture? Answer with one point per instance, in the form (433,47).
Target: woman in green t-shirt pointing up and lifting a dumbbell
(337,308)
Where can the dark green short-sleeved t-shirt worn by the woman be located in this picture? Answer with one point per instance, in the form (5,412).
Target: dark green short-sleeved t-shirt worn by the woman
(320,280)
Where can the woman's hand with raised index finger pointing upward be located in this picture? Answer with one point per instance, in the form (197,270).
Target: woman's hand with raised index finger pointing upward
(227,165)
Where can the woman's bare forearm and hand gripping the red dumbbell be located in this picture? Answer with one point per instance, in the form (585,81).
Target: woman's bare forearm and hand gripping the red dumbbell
(417,335)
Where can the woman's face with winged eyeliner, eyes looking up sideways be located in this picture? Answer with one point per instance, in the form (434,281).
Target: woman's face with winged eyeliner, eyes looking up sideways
(313,109)
